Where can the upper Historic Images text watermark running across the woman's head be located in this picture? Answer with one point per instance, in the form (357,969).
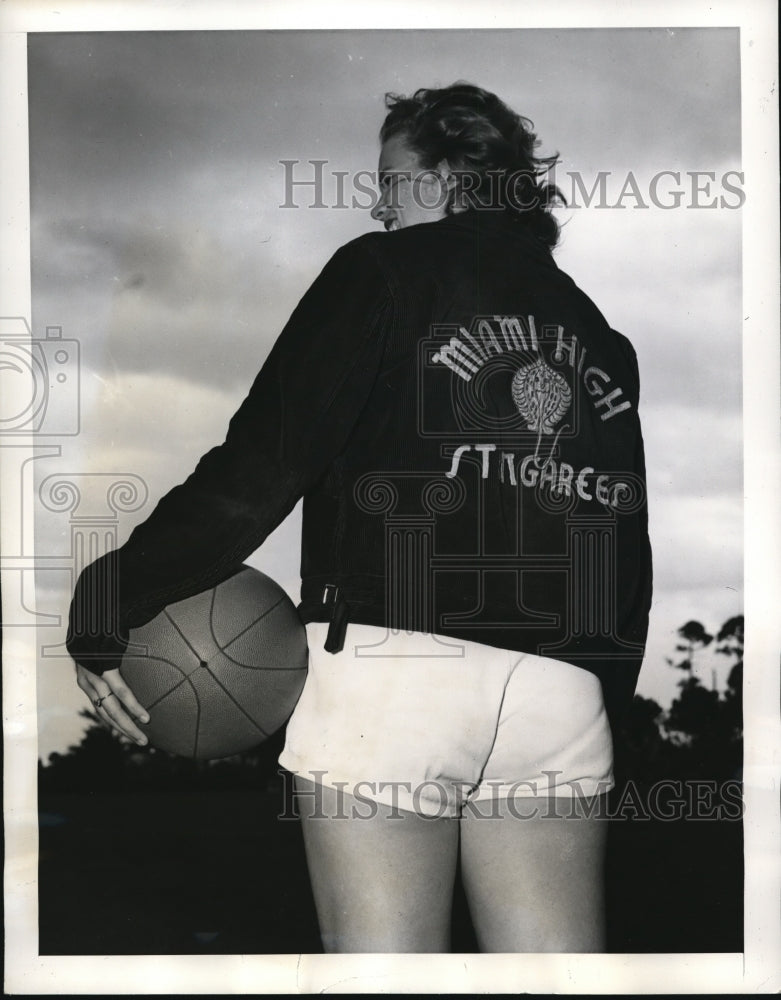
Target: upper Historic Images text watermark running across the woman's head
(313,184)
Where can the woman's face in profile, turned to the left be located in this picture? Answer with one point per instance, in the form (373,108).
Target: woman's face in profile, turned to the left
(409,193)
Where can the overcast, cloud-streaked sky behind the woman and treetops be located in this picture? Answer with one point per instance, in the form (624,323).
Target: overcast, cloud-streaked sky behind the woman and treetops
(160,244)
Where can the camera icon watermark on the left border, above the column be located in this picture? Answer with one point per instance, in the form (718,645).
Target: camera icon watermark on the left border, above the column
(42,384)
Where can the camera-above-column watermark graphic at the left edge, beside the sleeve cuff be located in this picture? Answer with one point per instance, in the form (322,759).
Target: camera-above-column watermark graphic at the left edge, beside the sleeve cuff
(41,408)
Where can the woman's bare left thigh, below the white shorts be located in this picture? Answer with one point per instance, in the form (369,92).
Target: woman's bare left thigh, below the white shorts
(383,882)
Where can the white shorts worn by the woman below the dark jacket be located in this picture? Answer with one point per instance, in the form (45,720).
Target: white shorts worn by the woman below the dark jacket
(428,724)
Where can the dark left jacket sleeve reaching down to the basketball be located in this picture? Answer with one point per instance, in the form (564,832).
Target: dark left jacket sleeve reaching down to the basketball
(296,419)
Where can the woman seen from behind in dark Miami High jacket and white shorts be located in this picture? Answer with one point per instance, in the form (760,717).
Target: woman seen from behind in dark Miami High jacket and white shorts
(462,424)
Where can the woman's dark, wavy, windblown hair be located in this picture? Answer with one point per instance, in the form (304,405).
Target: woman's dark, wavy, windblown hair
(488,146)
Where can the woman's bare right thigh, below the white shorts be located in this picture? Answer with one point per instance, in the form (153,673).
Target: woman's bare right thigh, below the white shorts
(535,884)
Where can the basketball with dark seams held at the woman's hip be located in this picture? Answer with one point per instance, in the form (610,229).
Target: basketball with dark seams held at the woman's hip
(221,671)
